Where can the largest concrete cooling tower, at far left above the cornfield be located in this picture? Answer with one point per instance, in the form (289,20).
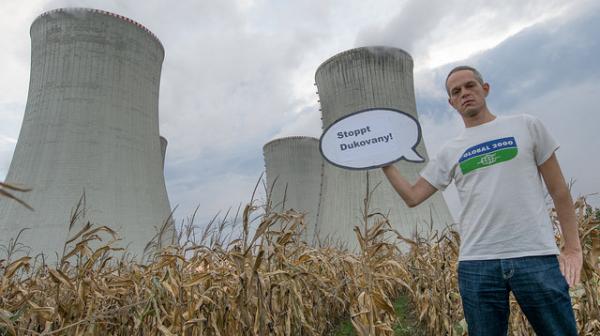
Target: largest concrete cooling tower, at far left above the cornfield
(90,126)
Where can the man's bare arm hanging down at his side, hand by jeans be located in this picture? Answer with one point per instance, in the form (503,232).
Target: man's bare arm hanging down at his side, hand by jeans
(570,257)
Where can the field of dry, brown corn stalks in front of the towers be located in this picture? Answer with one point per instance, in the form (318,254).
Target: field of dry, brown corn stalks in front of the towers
(266,282)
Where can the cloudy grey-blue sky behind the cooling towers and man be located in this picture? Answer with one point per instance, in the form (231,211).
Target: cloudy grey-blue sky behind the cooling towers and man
(240,73)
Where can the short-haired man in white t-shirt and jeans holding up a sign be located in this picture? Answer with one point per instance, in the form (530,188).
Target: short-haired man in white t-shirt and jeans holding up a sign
(507,240)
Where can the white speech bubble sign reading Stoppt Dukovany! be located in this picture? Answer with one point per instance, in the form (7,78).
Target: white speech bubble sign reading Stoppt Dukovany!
(371,138)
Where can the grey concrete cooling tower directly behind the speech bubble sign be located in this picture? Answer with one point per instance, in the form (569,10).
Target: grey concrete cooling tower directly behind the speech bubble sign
(354,80)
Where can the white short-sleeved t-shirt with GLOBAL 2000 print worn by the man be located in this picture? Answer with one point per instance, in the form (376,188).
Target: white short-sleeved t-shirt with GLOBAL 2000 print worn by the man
(494,168)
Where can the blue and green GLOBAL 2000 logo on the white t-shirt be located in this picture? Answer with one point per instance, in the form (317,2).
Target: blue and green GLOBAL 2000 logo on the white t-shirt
(487,154)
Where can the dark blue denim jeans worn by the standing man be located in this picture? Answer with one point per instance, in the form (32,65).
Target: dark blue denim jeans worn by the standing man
(540,289)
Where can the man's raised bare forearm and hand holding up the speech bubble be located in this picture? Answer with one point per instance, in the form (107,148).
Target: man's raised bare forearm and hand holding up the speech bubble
(412,195)
